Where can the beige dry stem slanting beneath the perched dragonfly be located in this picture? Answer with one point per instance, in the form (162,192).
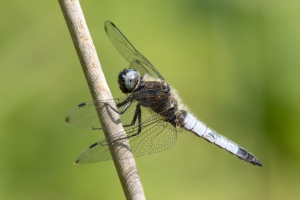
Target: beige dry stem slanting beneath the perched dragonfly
(86,52)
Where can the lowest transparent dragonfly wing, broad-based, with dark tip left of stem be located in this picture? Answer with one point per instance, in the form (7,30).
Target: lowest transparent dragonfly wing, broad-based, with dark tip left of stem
(156,135)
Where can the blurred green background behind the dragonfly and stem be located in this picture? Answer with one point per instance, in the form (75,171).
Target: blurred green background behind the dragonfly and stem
(235,64)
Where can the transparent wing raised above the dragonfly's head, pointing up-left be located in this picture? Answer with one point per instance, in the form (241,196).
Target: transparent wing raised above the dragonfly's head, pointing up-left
(127,50)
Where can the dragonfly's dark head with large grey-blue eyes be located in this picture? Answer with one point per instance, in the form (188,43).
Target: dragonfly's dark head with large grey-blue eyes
(128,80)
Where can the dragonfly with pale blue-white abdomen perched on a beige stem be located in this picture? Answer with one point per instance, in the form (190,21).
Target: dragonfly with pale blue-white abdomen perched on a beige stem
(152,113)
